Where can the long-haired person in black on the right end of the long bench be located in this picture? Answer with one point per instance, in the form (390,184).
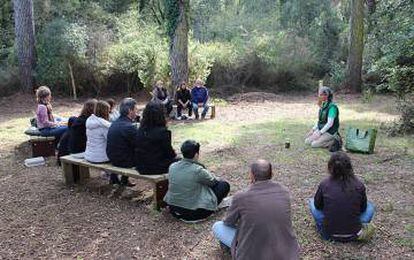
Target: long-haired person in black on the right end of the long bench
(153,150)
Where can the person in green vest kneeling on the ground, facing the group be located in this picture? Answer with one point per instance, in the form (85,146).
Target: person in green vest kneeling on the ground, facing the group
(325,131)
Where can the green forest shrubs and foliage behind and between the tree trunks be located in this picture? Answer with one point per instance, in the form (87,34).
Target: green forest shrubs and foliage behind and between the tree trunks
(105,46)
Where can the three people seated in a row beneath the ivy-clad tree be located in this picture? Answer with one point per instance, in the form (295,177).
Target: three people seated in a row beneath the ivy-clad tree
(190,99)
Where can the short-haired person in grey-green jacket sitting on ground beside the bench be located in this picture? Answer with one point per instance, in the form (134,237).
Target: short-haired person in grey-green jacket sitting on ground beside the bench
(193,192)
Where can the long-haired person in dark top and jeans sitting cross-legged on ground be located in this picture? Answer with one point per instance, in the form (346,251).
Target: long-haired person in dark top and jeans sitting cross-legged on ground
(340,206)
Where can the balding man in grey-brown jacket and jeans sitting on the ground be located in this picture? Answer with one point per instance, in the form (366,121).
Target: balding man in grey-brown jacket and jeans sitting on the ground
(258,223)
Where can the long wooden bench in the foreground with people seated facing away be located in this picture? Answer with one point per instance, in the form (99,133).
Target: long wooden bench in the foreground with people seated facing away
(76,171)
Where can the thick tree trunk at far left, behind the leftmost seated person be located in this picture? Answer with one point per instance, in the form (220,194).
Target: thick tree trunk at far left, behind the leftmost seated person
(25,41)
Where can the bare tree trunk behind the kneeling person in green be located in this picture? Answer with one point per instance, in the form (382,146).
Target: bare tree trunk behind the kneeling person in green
(353,79)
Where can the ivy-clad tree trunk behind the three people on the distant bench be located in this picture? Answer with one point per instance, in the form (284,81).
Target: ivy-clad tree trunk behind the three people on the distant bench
(179,45)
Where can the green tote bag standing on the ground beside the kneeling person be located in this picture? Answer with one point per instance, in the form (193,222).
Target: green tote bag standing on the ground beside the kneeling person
(360,141)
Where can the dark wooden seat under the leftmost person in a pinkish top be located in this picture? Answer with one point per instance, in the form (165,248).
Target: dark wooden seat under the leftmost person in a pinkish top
(41,145)
